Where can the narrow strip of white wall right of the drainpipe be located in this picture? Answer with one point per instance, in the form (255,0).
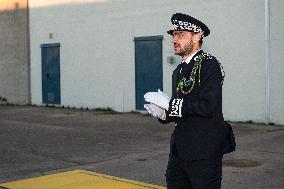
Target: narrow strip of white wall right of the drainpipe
(276,62)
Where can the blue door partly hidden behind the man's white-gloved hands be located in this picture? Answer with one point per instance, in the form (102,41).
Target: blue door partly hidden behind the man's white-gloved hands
(148,67)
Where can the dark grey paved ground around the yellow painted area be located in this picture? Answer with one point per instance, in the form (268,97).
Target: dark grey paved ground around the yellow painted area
(36,141)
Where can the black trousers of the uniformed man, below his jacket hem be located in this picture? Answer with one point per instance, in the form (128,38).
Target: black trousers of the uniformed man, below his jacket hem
(194,174)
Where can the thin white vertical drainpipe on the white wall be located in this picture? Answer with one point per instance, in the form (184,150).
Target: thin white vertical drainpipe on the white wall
(267,60)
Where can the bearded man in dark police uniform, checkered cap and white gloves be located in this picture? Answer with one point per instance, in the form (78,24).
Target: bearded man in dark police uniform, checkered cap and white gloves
(197,143)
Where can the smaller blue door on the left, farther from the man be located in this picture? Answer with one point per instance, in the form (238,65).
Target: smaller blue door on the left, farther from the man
(50,57)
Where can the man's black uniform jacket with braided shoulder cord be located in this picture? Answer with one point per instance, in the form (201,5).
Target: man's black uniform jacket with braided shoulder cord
(200,133)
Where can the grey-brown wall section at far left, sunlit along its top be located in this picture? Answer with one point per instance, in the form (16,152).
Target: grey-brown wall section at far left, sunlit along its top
(14,67)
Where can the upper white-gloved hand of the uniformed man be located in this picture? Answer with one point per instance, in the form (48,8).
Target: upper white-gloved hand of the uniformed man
(158,98)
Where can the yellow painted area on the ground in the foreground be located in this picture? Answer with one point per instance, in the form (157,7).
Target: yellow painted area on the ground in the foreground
(78,179)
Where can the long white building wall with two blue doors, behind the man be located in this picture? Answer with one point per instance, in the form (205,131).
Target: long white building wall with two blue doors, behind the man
(97,50)
